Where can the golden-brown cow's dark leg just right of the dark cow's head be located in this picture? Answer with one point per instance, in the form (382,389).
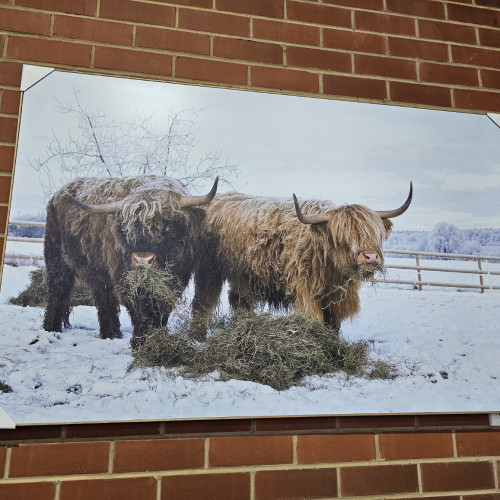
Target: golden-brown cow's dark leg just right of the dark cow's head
(208,282)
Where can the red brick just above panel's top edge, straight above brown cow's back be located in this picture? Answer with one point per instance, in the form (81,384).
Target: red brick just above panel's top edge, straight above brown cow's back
(284,79)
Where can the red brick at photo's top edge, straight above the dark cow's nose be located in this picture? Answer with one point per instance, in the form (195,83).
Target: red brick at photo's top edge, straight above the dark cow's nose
(138,12)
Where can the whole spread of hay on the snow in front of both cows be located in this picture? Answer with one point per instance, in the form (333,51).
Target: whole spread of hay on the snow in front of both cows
(275,351)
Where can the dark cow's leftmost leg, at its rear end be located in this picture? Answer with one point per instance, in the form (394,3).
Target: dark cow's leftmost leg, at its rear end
(60,282)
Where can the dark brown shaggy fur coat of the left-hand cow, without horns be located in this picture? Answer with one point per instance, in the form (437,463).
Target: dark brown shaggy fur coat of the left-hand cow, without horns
(98,248)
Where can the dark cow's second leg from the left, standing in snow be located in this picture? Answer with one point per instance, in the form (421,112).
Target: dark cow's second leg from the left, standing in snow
(108,308)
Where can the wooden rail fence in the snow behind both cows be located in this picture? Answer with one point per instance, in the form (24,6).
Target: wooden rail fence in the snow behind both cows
(418,268)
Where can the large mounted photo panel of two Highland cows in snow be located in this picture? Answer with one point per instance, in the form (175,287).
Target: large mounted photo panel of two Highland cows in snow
(159,266)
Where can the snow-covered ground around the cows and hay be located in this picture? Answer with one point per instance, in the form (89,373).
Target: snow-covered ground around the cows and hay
(444,343)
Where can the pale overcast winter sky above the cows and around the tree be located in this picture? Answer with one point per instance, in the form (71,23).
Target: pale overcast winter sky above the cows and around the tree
(343,151)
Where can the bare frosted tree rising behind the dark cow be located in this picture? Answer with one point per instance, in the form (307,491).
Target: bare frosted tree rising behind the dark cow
(105,147)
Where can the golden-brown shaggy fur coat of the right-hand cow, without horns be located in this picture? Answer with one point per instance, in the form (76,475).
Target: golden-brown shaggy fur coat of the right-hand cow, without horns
(268,256)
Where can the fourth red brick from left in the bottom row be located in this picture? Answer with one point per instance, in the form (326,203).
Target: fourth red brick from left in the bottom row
(290,484)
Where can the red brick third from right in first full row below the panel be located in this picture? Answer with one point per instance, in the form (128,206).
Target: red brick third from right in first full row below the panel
(335,448)
